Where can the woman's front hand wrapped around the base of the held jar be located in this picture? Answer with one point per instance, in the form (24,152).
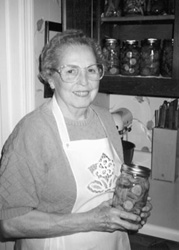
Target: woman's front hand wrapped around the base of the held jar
(106,218)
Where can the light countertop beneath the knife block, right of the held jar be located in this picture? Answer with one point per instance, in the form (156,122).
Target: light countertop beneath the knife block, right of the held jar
(164,219)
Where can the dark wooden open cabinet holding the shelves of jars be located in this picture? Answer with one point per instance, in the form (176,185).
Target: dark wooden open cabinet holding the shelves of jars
(140,27)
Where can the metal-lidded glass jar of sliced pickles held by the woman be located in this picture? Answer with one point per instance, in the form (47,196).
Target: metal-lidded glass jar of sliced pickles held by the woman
(132,188)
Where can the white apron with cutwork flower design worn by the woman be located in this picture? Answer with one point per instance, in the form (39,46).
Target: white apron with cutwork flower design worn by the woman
(95,166)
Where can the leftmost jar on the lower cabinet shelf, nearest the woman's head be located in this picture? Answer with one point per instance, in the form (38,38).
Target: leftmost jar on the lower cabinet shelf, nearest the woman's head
(111,54)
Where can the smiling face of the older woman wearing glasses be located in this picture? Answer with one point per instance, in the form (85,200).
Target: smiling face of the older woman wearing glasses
(75,98)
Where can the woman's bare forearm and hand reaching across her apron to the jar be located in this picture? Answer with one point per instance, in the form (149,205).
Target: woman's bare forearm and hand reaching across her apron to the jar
(36,224)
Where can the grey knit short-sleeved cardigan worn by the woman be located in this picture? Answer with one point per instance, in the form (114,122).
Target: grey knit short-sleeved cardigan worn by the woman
(35,172)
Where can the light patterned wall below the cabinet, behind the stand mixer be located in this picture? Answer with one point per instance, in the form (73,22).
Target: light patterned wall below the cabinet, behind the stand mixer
(142,109)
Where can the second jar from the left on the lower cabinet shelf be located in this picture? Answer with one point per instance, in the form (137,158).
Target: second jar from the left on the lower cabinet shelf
(130,58)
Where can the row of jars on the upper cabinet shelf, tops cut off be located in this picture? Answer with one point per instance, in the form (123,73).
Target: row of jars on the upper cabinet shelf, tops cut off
(117,8)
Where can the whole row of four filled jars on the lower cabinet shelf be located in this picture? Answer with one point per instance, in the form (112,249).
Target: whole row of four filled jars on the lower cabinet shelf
(149,57)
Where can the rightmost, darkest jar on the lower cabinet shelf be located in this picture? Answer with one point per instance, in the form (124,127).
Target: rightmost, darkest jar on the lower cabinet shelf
(167,57)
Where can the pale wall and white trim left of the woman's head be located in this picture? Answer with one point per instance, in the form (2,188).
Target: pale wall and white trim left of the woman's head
(20,45)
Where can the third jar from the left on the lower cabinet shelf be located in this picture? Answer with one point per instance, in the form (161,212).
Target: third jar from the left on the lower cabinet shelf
(150,57)
